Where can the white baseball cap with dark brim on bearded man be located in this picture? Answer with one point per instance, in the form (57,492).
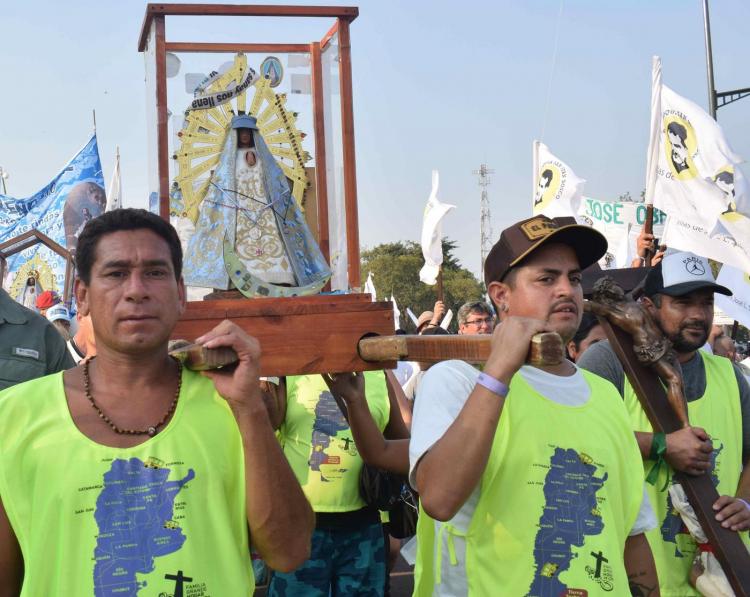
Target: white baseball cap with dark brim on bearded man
(679,273)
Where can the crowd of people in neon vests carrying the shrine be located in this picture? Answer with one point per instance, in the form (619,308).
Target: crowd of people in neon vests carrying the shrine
(121,470)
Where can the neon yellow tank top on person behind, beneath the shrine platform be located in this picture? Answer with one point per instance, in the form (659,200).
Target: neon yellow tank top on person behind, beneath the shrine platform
(319,445)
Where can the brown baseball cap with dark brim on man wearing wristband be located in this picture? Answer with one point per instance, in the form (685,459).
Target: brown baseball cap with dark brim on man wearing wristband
(523,238)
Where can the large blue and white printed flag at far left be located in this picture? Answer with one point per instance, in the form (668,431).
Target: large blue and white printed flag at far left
(60,210)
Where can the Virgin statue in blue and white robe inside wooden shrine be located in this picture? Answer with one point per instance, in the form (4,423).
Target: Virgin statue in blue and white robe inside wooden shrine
(250,231)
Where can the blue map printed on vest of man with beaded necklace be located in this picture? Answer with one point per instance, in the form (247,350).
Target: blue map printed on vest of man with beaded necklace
(134,516)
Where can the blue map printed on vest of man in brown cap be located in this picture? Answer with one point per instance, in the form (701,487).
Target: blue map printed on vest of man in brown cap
(570,514)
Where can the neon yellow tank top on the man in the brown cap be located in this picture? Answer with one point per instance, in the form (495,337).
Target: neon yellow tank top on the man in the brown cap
(560,493)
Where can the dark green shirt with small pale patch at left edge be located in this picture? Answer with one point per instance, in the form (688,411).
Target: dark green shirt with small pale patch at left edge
(30,346)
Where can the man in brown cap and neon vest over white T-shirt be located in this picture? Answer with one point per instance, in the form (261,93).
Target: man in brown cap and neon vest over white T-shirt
(533,471)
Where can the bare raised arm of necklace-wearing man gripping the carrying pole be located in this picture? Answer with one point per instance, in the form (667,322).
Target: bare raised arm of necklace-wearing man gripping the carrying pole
(278,514)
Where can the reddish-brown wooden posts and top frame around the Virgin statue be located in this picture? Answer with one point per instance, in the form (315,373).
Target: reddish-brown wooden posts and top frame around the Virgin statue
(156,16)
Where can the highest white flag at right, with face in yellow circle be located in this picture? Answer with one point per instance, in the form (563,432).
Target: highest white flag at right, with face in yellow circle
(689,158)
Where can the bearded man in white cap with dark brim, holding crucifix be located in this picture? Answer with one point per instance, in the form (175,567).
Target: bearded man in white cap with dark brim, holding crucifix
(679,294)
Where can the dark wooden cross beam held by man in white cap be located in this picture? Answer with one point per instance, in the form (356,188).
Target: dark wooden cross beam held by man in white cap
(727,545)
